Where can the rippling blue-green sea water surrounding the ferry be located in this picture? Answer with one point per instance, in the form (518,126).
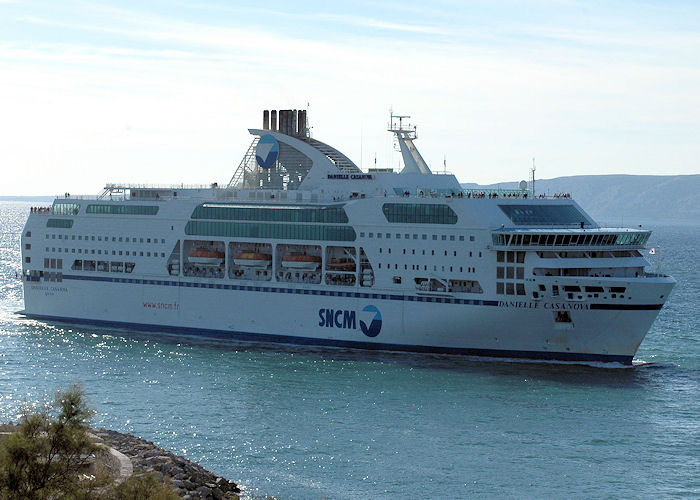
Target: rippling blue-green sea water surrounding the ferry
(330,423)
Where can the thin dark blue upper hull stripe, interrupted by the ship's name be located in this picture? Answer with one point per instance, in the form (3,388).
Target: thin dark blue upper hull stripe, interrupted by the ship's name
(334,293)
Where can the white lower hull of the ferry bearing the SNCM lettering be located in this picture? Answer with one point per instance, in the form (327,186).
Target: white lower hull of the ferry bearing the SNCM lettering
(408,323)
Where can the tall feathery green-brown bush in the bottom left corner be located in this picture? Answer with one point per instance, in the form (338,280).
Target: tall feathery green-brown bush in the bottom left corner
(43,457)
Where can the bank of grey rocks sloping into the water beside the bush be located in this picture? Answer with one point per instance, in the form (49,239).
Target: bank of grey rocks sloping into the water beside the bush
(188,479)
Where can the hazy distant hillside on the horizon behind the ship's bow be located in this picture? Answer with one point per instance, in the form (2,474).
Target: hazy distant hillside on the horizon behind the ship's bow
(631,198)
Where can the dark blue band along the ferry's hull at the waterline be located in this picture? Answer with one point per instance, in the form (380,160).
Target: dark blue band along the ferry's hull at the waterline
(288,339)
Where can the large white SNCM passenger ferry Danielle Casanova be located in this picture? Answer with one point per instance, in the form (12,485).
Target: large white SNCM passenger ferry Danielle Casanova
(303,247)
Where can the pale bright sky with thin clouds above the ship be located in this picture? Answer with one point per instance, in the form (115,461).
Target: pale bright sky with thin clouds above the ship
(160,92)
